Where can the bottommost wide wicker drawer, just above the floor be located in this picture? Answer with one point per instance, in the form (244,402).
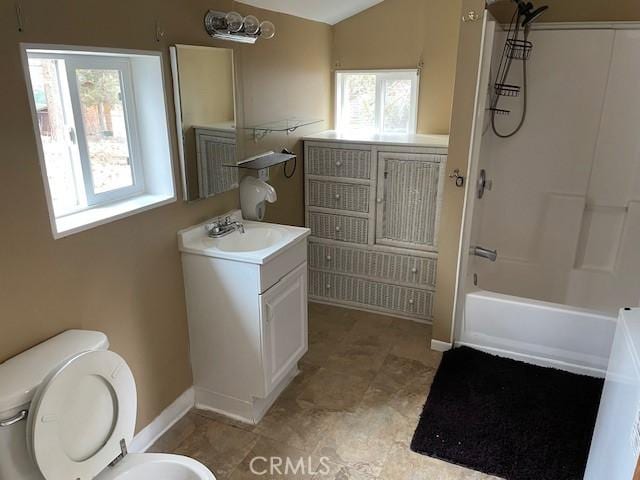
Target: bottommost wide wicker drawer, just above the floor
(403,300)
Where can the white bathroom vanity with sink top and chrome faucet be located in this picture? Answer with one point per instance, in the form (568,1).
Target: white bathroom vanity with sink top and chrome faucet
(246,299)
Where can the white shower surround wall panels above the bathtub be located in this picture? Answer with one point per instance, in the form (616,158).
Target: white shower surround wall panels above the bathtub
(564,211)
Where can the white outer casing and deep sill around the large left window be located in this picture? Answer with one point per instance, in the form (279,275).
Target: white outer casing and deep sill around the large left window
(153,115)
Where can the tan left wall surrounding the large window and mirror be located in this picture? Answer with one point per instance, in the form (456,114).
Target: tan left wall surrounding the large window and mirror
(125,278)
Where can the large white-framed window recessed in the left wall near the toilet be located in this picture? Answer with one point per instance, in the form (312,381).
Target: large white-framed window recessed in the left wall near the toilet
(94,114)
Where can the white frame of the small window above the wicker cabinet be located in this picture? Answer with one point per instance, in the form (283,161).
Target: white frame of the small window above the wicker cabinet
(382,76)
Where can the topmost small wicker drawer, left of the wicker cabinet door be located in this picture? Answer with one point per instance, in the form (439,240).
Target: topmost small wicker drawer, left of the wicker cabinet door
(338,162)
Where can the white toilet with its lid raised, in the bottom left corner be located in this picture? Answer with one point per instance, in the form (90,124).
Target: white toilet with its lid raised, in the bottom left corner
(68,412)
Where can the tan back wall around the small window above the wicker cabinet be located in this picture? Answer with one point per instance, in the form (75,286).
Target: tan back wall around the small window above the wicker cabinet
(400,34)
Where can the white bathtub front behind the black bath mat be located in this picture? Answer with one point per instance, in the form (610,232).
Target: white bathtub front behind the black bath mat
(542,333)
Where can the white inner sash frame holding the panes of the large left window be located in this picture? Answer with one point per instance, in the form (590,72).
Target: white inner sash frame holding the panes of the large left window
(78,61)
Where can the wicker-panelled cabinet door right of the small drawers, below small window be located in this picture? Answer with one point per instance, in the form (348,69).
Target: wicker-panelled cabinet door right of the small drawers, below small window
(409,198)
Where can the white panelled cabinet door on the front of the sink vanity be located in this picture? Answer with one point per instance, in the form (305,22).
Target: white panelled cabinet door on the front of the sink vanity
(284,325)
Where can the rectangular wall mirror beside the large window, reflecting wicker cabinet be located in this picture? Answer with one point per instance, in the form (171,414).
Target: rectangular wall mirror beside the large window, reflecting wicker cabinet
(204,91)
